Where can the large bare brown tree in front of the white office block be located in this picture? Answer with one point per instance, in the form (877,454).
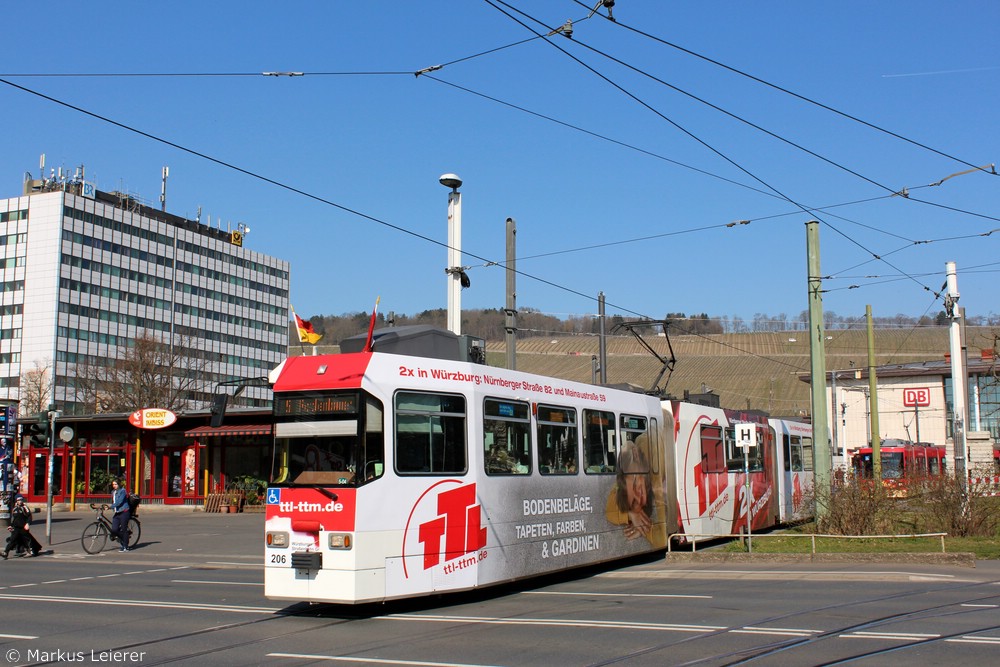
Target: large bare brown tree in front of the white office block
(151,373)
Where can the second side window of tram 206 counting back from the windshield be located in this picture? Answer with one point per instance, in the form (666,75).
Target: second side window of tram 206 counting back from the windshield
(506,437)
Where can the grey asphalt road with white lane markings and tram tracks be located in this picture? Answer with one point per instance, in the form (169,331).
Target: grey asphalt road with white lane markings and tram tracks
(192,594)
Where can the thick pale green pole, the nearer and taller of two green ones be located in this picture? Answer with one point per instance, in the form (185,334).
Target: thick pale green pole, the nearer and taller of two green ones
(823,468)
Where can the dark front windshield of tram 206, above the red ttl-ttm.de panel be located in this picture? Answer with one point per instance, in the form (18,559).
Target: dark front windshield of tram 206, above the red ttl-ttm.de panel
(328,439)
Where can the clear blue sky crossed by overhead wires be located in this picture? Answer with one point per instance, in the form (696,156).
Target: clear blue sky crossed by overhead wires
(605,150)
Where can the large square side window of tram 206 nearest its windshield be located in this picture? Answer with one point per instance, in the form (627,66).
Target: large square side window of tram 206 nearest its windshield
(430,433)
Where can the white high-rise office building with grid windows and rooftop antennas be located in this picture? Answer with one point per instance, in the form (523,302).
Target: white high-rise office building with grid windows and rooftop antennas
(84,272)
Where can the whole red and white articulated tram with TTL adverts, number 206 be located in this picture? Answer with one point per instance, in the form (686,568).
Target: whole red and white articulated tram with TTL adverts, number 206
(399,476)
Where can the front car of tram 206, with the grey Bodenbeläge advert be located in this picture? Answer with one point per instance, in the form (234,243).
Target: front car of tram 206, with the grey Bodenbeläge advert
(410,531)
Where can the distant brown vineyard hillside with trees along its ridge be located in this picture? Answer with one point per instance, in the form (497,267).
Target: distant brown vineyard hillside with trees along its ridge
(755,370)
